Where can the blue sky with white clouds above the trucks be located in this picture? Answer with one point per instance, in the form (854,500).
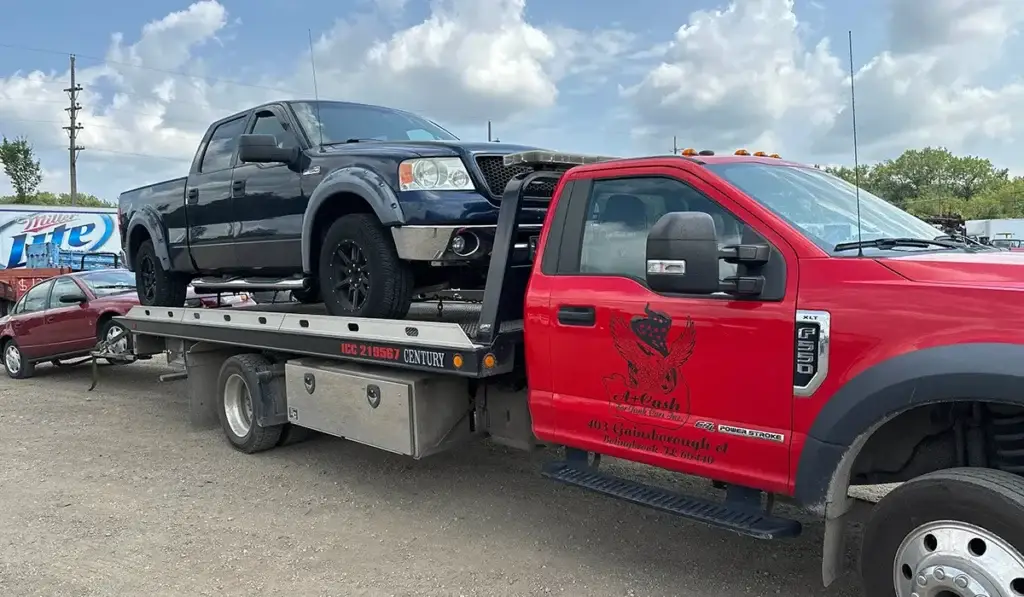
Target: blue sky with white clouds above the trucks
(596,76)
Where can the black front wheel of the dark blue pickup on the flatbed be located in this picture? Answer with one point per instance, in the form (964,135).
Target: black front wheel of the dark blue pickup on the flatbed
(391,280)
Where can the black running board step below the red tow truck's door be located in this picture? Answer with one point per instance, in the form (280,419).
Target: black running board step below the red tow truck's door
(744,521)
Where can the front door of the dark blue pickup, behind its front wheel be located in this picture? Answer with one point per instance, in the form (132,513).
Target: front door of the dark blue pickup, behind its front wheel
(270,203)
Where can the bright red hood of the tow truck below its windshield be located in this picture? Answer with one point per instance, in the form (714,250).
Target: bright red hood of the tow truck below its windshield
(1002,269)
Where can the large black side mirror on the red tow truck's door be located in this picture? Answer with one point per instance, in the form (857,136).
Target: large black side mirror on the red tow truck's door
(684,257)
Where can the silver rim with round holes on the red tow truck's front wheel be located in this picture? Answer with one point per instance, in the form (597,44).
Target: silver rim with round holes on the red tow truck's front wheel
(956,560)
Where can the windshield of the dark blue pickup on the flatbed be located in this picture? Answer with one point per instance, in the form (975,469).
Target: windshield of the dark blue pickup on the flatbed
(353,122)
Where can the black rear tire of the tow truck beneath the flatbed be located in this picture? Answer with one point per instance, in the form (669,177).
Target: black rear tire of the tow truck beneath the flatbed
(246,368)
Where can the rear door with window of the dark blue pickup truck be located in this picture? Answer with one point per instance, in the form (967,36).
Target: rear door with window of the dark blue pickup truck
(208,197)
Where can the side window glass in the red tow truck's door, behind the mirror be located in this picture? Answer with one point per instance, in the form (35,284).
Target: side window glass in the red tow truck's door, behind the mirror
(621,212)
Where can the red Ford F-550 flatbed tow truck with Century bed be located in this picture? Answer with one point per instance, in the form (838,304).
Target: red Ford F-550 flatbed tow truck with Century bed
(744,319)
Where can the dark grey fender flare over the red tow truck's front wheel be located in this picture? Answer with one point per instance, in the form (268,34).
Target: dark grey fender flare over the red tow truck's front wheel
(991,372)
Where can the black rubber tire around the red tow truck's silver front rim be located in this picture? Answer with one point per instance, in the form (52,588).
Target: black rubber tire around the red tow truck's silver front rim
(985,498)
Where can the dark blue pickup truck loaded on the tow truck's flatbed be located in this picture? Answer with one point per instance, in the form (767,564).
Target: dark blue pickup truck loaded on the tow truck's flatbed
(361,207)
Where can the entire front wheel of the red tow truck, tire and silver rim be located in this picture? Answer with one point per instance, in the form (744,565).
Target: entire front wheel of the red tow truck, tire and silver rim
(952,533)
